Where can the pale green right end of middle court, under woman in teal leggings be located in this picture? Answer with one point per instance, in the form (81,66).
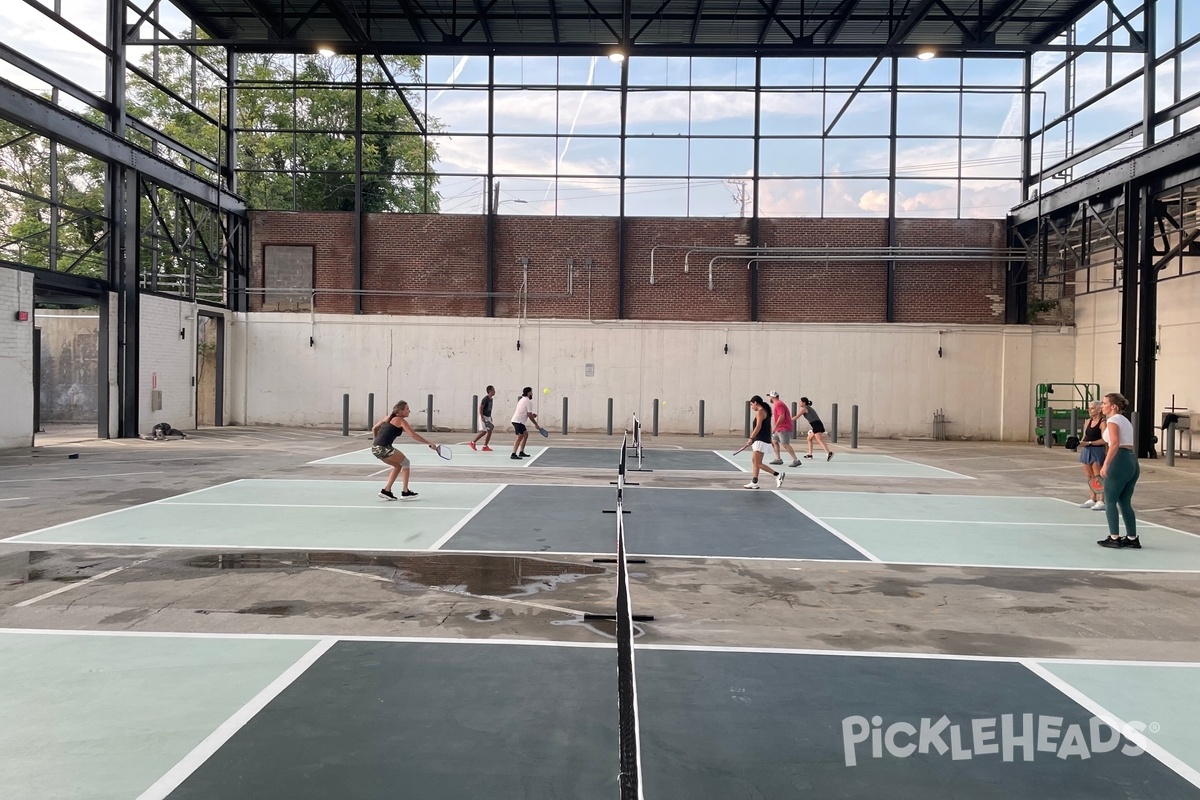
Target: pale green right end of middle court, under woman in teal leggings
(992,532)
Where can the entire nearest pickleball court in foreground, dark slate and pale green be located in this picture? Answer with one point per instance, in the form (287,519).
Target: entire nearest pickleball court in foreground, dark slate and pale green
(115,717)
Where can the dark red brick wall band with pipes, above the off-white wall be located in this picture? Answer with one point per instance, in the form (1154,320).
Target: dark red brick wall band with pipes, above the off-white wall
(446,256)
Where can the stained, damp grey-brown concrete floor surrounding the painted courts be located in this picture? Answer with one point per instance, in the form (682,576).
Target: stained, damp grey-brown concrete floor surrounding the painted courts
(827,606)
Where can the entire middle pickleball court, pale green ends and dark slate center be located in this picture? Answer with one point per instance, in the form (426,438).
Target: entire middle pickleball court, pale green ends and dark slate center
(956,531)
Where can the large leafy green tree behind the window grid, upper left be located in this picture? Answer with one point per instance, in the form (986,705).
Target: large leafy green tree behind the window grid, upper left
(296,139)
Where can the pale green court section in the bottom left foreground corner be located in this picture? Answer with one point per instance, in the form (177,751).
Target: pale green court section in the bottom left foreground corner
(104,718)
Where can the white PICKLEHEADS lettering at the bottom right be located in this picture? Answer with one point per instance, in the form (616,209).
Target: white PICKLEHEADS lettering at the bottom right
(1006,736)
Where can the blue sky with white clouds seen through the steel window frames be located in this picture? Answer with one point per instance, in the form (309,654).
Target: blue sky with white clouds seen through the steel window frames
(560,152)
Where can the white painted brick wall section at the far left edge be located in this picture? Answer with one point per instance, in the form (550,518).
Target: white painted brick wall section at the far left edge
(16,360)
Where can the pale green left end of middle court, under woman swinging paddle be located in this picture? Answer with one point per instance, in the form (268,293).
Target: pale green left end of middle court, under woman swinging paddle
(272,515)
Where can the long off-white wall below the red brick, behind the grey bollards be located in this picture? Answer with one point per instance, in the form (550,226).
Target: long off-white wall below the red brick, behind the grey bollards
(983,381)
